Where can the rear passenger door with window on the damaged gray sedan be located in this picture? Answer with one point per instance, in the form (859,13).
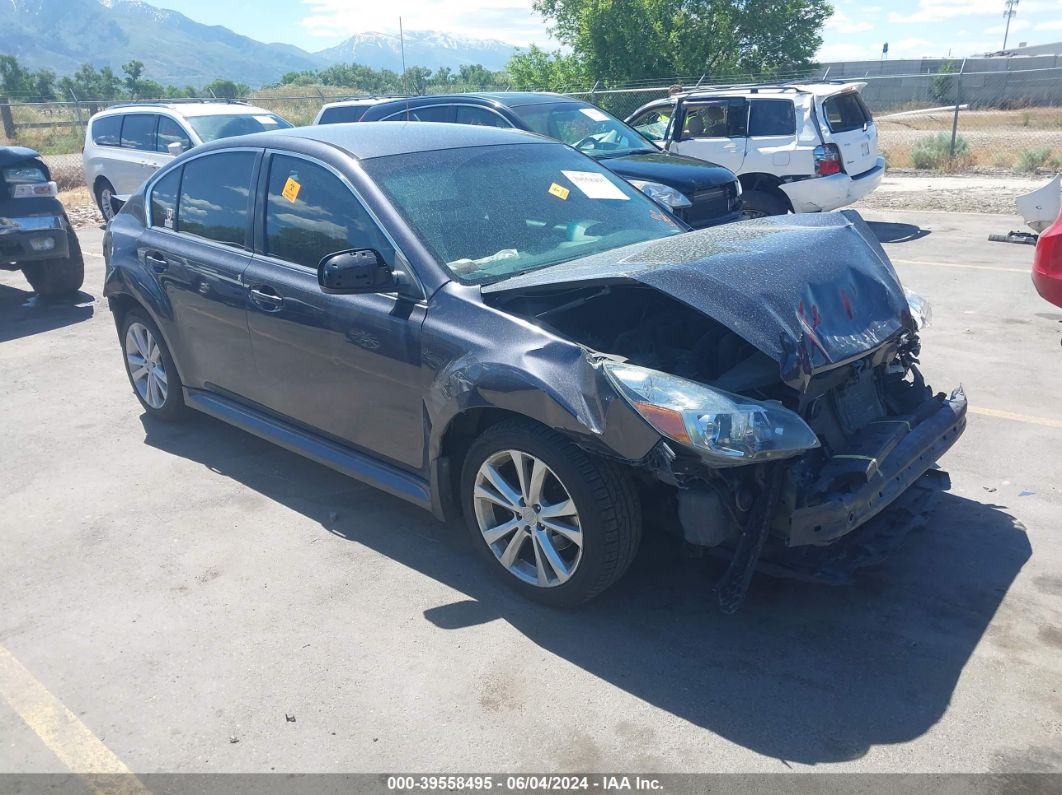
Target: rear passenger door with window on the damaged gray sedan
(199,247)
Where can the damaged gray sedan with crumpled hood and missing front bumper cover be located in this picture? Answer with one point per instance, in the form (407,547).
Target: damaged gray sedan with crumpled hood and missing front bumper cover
(489,324)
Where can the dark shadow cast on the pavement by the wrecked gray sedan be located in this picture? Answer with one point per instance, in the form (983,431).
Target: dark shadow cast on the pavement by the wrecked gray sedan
(802,673)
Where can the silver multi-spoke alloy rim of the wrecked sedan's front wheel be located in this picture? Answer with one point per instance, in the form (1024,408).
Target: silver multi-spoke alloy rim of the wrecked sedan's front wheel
(528,520)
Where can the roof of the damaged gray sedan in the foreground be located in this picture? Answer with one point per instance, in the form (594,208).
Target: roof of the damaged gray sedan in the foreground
(366,142)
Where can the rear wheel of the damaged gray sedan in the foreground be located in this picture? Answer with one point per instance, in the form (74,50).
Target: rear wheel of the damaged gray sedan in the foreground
(150,368)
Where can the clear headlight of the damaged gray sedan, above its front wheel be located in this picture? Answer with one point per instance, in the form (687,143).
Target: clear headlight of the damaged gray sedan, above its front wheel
(727,429)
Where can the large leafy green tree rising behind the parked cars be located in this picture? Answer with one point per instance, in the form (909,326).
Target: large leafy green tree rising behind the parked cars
(620,41)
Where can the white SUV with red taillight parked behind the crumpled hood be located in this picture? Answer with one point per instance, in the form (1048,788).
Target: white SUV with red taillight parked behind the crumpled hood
(801,148)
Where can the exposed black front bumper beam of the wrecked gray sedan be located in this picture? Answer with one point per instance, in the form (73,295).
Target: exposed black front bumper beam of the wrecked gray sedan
(842,511)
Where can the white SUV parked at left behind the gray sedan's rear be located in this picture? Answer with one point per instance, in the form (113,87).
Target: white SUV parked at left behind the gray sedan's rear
(126,145)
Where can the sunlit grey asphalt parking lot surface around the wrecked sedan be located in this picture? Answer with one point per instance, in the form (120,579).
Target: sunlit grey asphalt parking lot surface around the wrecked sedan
(184,592)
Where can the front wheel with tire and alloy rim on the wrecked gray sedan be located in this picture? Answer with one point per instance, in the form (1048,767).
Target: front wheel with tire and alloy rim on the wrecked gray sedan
(555,524)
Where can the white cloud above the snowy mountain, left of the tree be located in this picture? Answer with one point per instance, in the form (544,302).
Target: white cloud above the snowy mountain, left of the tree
(510,21)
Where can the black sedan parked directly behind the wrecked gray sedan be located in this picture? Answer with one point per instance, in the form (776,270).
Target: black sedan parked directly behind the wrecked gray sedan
(701,194)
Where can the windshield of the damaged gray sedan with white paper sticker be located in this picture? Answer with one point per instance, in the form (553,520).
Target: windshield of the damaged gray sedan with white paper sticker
(490,213)
